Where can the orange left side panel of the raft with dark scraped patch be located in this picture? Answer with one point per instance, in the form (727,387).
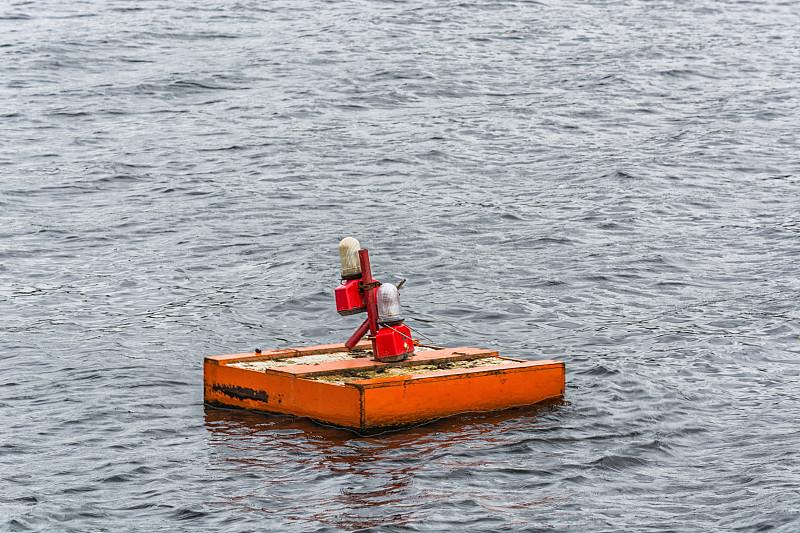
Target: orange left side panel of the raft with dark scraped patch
(278,392)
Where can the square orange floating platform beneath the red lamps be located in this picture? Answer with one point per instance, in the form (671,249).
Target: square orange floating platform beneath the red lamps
(333,392)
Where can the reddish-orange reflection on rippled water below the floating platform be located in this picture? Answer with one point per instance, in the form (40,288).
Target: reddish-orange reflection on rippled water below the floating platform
(394,478)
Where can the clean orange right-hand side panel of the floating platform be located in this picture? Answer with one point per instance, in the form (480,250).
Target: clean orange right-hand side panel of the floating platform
(416,399)
